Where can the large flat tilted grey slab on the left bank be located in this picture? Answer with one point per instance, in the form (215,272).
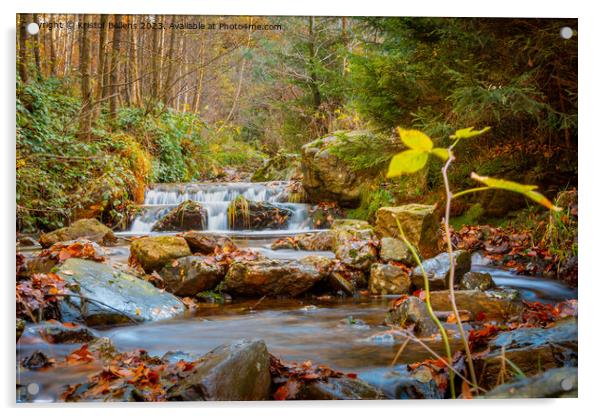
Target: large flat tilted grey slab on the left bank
(114,297)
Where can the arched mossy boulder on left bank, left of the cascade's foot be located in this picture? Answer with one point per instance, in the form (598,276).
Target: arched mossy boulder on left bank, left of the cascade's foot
(89,229)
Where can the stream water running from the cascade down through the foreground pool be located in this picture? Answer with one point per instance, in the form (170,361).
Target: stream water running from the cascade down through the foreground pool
(345,333)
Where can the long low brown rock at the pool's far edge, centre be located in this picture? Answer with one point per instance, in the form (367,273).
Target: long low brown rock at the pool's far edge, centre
(270,278)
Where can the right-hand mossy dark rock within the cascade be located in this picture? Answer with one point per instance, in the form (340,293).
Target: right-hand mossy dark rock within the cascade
(249,215)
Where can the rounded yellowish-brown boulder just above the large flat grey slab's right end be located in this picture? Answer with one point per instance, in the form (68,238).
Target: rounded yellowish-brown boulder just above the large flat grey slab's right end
(152,253)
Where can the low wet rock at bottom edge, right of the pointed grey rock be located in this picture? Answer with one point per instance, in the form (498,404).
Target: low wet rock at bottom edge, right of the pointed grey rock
(339,388)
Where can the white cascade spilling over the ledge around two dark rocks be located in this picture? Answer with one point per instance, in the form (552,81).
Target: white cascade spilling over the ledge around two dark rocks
(216,198)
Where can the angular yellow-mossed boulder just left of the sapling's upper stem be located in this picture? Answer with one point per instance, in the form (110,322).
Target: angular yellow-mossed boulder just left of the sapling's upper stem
(419,223)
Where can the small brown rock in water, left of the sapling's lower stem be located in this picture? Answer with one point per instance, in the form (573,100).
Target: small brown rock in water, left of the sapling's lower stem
(412,311)
